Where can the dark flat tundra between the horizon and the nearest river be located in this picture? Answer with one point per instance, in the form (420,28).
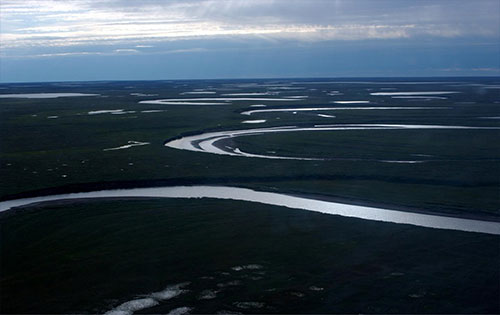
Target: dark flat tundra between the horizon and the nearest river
(40,155)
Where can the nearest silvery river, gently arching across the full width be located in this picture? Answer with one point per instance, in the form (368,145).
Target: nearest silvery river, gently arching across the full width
(294,202)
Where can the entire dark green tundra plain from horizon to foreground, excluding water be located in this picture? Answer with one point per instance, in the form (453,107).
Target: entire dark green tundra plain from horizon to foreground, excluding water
(91,256)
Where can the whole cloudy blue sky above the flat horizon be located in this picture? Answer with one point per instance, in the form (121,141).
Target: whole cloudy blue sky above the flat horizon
(79,40)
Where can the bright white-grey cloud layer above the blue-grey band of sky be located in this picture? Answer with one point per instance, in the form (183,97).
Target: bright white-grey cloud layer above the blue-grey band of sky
(57,23)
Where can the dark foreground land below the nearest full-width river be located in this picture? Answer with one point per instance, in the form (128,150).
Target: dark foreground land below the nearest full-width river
(94,255)
